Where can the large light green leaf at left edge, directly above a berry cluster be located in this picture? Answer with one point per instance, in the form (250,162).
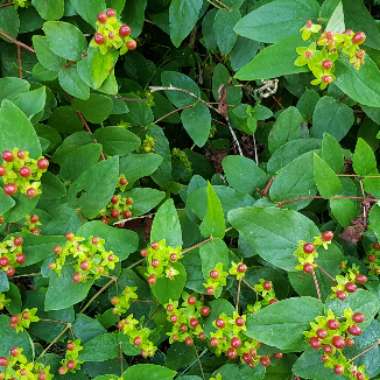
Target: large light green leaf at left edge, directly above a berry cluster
(16,131)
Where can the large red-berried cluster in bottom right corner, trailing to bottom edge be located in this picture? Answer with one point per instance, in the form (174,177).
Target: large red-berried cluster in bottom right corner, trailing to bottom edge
(332,335)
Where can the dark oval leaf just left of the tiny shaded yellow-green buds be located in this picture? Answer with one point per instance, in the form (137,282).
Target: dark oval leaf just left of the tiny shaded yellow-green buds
(117,140)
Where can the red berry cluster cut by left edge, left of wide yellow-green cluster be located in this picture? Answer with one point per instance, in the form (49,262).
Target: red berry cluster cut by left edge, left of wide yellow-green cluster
(11,255)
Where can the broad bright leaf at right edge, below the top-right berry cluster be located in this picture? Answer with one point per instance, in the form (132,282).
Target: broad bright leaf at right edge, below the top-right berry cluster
(362,85)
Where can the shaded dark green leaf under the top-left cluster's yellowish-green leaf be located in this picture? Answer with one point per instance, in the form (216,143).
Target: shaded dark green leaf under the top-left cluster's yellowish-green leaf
(96,109)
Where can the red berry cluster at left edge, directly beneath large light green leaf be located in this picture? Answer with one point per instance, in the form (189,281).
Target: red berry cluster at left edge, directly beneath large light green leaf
(20,173)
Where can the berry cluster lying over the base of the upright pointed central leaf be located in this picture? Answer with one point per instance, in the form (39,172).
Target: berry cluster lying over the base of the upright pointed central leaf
(160,259)
